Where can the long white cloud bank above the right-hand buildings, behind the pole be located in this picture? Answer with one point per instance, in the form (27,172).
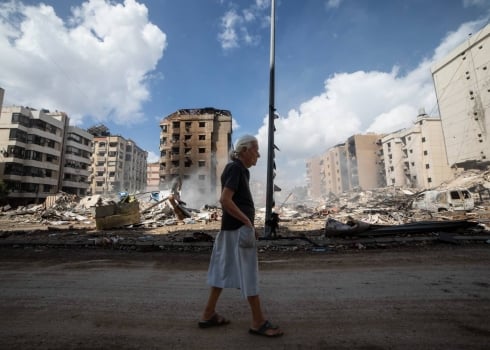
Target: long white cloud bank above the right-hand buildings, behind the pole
(355,102)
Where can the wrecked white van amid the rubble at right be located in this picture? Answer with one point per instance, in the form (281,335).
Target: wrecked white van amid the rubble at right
(444,200)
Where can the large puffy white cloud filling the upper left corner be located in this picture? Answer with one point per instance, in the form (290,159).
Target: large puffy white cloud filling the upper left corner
(96,63)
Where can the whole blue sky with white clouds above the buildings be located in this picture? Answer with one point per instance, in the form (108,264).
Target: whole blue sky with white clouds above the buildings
(342,66)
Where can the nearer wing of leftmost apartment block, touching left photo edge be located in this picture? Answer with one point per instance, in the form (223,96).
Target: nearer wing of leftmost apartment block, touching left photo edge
(31,152)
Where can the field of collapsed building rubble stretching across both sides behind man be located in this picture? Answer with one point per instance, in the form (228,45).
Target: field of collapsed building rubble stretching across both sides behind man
(357,220)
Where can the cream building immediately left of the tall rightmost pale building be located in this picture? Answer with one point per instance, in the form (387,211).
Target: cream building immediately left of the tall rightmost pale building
(416,157)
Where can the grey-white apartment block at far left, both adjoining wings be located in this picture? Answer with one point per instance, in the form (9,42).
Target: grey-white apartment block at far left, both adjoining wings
(41,154)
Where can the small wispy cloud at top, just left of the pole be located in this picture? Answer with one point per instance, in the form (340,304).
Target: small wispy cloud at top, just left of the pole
(239,28)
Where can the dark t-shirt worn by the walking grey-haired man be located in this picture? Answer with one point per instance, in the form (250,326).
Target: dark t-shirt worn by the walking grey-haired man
(236,177)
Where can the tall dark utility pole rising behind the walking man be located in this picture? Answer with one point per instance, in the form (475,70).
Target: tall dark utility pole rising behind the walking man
(272,114)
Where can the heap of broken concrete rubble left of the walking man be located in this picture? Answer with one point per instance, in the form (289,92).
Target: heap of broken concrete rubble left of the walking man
(160,209)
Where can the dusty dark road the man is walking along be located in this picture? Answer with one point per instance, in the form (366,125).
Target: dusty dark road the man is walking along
(437,298)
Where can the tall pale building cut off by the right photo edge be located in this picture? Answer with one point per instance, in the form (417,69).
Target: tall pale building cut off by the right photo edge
(462,83)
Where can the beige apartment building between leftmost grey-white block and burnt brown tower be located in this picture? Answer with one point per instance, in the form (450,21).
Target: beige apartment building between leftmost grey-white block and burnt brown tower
(119,165)
